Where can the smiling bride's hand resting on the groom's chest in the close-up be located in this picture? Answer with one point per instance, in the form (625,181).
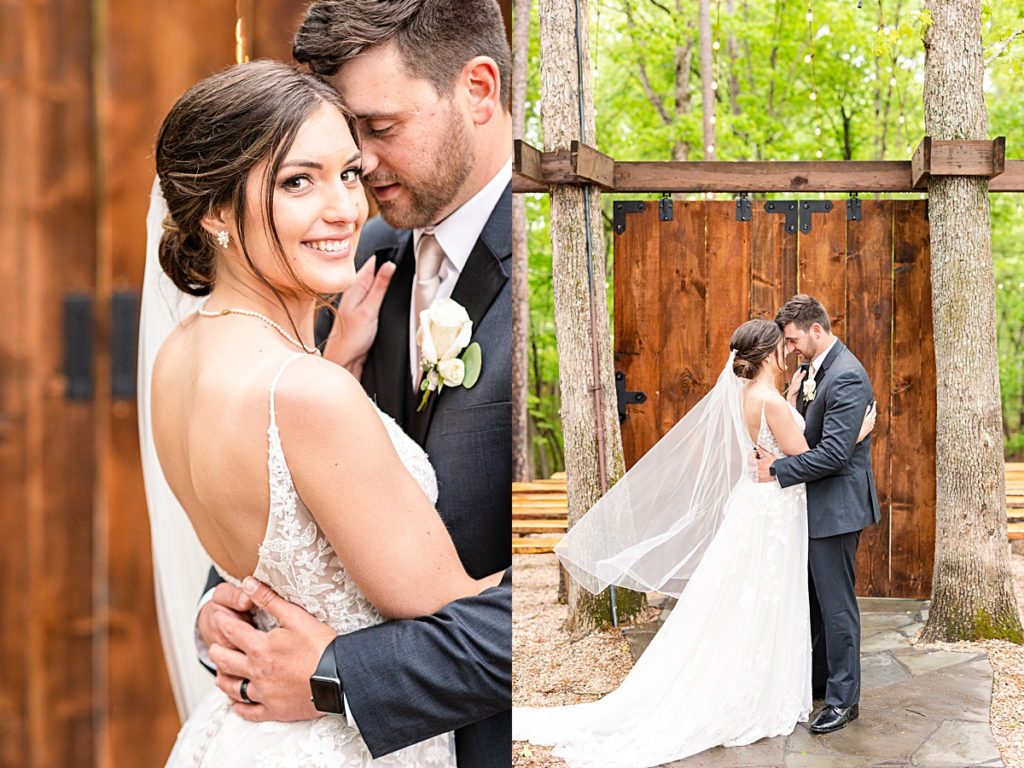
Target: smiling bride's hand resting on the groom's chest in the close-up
(356,328)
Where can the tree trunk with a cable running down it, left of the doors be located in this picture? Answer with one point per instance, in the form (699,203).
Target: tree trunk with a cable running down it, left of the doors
(581,307)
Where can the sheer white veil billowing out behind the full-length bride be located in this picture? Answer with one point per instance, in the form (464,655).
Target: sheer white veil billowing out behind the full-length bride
(650,532)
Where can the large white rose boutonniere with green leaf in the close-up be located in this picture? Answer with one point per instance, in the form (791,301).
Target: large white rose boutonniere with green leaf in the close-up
(445,333)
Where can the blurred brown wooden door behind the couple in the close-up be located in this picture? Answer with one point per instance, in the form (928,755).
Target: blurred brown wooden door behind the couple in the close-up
(83,89)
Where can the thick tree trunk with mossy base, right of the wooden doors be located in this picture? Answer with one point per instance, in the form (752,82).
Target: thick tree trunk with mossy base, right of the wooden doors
(972,594)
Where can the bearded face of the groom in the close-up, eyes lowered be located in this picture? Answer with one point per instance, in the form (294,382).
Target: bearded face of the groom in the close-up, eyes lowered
(417,145)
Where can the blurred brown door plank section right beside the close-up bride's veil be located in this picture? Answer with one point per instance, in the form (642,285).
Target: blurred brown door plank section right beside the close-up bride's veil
(151,55)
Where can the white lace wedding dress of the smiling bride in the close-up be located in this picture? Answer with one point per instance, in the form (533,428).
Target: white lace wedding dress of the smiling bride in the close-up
(301,565)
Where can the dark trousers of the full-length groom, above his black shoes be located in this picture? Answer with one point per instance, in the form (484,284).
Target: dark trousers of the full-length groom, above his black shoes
(835,619)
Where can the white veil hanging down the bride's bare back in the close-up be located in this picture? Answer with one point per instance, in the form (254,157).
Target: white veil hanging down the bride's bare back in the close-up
(181,564)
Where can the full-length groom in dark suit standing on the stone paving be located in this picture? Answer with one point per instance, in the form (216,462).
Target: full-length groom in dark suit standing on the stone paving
(841,500)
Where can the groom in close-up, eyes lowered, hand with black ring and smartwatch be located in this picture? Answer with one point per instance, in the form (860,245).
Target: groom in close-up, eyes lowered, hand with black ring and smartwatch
(429,82)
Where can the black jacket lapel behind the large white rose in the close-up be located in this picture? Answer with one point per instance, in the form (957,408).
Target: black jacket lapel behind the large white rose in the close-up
(479,285)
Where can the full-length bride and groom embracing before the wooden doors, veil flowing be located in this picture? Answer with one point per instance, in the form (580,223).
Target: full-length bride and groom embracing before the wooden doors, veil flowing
(750,510)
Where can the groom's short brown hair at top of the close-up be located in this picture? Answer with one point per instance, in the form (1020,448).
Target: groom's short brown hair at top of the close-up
(435,38)
